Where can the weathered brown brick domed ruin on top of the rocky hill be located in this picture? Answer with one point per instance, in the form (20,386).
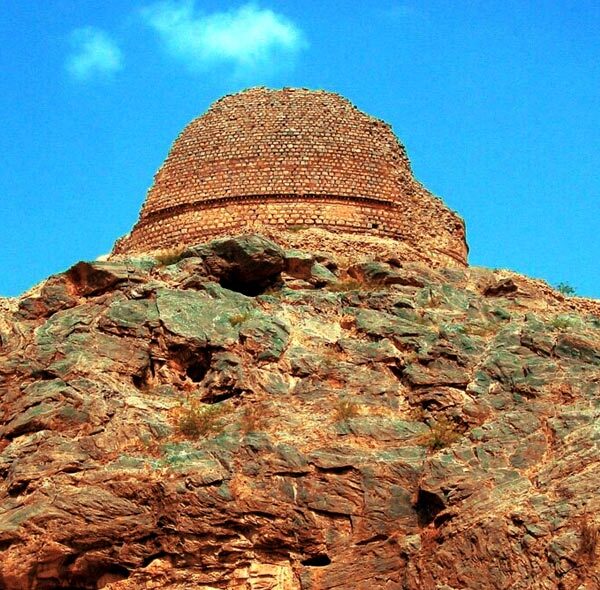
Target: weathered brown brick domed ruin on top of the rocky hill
(288,158)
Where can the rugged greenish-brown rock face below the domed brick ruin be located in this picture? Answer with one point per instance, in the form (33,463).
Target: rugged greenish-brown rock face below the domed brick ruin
(244,416)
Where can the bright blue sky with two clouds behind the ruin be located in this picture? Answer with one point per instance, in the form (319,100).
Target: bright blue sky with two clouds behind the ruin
(497,102)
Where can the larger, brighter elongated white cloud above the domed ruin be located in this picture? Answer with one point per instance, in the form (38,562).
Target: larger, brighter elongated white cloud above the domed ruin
(249,38)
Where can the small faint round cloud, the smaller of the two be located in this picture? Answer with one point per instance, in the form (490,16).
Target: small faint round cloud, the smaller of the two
(94,54)
